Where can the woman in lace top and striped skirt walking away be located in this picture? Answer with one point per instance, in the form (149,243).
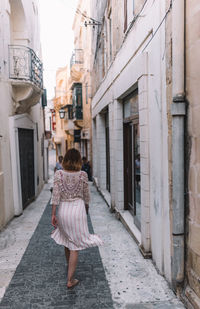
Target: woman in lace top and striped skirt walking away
(71,193)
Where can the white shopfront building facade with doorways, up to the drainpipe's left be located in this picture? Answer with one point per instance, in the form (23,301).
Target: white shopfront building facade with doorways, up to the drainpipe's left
(130,124)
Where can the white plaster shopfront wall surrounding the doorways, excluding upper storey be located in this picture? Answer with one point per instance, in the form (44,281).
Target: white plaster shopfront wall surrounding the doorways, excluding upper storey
(128,67)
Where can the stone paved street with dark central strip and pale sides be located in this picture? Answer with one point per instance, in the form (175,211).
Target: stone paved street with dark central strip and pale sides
(113,276)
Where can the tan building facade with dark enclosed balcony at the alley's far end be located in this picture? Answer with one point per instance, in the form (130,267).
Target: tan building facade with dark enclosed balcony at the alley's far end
(80,79)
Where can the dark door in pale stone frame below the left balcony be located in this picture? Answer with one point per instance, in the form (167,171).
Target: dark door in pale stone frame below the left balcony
(26,154)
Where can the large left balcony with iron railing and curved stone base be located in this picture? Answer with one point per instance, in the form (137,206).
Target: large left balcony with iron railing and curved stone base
(26,76)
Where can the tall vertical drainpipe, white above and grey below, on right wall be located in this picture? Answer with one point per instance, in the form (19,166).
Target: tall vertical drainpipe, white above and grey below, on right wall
(178,111)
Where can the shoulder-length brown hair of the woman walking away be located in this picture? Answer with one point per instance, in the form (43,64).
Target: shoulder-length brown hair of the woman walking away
(72,160)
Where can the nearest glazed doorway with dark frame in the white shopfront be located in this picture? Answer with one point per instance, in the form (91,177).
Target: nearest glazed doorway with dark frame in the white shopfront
(131,133)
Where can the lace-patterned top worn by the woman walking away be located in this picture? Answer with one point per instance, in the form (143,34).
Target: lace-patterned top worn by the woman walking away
(68,186)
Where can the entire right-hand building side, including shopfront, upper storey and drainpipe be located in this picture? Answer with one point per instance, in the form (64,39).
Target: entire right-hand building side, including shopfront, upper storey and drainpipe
(145,139)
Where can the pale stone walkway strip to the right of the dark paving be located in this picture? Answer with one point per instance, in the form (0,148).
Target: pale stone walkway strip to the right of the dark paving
(133,280)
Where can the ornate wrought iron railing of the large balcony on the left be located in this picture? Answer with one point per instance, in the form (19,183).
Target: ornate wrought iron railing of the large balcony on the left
(25,65)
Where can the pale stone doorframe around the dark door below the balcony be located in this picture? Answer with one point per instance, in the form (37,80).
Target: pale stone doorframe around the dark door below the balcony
(20,121)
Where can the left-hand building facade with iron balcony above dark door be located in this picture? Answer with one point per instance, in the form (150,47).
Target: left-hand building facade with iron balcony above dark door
(21,118)
